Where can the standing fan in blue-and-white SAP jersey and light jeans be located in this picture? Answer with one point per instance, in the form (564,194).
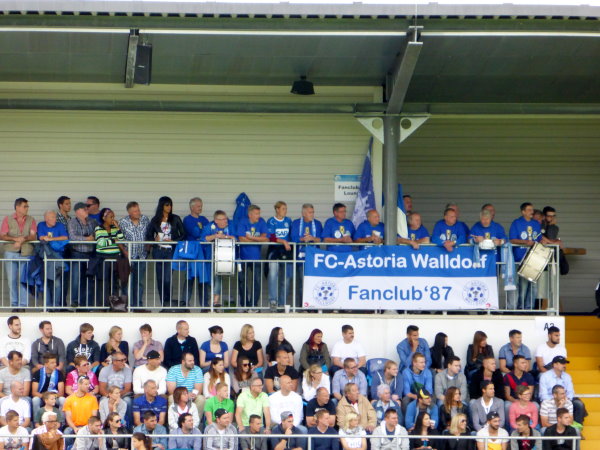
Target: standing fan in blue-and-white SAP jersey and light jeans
(279,230)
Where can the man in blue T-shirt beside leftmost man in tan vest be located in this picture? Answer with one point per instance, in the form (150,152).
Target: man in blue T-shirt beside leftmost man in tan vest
(52,232)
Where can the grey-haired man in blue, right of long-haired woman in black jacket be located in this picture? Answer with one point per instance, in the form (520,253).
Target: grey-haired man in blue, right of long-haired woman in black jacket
(194,224)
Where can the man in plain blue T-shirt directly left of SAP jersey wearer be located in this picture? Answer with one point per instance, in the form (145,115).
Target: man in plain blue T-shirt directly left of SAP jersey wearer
(251,229)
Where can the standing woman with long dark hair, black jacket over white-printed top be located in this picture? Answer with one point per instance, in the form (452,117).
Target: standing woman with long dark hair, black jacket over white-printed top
(164,227)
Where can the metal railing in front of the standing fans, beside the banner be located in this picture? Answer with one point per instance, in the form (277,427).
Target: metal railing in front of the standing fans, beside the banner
(164,283)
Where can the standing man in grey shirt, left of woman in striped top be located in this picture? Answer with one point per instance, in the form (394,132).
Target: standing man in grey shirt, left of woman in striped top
(81,228)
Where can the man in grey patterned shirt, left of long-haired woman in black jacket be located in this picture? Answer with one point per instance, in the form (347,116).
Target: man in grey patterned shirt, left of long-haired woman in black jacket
(135,228)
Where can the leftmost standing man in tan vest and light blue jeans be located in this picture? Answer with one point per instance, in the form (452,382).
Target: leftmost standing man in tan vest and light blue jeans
(18,228)
